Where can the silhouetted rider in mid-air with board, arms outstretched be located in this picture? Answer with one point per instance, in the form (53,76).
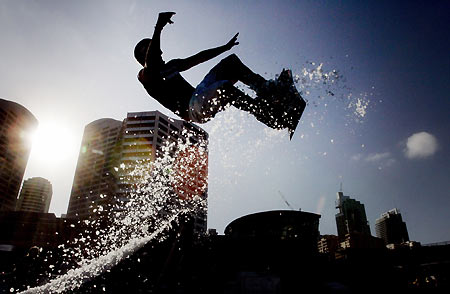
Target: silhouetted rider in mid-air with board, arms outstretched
(216,91)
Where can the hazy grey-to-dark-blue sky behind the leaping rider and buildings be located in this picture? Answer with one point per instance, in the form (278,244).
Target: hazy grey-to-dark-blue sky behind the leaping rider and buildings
(376,76)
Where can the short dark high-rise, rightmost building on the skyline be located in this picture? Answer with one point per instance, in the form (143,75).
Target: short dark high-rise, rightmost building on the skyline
(391,227)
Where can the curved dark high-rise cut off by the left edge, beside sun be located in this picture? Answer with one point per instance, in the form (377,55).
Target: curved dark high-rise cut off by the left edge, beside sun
(16,126)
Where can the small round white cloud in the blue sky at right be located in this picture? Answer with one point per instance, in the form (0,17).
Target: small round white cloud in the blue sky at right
(421,145)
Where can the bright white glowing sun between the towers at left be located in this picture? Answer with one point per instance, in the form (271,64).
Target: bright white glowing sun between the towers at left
(53,143)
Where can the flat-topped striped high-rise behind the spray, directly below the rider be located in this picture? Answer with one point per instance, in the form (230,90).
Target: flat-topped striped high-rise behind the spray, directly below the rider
(148,136)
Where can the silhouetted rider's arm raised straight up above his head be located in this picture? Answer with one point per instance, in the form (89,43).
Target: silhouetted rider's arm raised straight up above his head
(153,57)
